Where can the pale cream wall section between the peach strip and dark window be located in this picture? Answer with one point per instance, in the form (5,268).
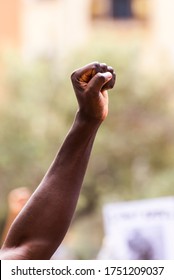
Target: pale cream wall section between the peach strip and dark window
(56,26)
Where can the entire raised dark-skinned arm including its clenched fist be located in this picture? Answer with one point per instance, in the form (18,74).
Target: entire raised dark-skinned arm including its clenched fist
(42,224)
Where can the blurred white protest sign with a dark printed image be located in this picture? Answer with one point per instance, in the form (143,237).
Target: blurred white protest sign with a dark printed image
(139,230)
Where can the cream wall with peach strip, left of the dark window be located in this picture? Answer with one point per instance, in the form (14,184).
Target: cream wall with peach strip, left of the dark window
(44,27)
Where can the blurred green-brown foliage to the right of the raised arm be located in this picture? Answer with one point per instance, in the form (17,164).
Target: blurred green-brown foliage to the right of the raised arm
(133,157)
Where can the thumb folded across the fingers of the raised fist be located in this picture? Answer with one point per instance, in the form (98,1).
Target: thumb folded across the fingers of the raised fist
(98,81)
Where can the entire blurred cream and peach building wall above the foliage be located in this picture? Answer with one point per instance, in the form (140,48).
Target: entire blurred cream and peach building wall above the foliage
(49,27)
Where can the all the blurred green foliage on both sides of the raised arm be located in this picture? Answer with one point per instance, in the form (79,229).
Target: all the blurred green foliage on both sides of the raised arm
(133,155)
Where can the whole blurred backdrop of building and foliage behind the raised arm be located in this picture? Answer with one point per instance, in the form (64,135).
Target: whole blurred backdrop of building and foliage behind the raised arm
(41,43)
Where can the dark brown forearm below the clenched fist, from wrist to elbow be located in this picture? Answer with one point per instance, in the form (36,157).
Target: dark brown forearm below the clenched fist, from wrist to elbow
(54,201)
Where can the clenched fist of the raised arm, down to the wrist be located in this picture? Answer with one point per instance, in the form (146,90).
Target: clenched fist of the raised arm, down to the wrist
(91,83)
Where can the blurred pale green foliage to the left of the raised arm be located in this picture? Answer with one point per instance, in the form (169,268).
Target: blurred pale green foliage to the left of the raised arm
(34,122)
